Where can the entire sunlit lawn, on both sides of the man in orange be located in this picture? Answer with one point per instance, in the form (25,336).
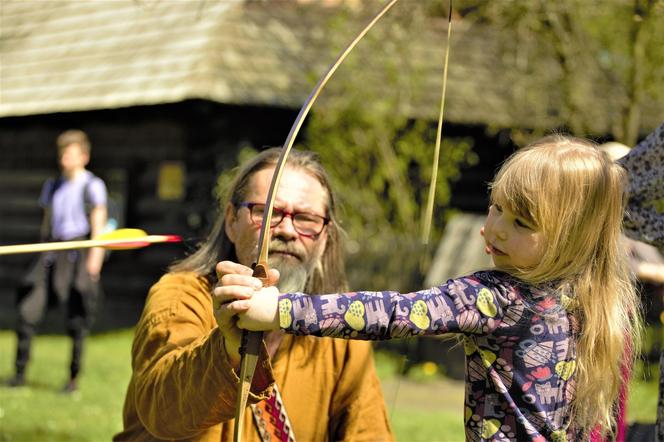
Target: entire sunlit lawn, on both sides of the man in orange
(423,406)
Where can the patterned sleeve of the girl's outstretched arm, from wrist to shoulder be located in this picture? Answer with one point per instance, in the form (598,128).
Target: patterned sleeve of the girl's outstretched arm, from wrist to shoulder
(464,305)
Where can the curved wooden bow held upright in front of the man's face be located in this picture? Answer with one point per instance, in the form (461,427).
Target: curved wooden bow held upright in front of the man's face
(251,341)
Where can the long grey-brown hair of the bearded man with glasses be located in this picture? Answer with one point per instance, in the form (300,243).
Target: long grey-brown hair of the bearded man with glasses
(328,275)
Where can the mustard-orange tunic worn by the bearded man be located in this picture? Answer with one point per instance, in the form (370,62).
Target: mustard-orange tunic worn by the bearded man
(183,387)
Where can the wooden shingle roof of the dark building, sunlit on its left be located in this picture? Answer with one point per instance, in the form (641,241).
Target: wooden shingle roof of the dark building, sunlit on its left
(74,55)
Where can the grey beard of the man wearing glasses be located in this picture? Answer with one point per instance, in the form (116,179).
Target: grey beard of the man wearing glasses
(294,266)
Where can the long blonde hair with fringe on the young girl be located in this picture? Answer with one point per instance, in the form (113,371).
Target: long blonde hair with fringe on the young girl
(574,195)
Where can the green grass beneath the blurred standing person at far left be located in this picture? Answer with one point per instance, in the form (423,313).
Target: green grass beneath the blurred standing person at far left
(39,412)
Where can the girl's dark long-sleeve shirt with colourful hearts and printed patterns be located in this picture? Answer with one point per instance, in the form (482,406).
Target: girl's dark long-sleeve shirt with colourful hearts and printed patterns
(518,340)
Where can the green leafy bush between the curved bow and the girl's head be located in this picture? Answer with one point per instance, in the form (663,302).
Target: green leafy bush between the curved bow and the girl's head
(379,159)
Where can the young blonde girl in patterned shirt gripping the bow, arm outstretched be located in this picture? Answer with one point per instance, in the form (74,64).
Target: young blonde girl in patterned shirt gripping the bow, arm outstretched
(544,333)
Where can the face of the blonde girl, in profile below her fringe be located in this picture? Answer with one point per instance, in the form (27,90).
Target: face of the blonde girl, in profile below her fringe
(512,242)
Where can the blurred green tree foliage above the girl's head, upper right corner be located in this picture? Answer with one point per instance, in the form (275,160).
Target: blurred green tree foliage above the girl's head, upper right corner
(602,61)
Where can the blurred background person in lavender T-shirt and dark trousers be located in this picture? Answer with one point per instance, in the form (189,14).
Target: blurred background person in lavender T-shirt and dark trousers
(74,208)
